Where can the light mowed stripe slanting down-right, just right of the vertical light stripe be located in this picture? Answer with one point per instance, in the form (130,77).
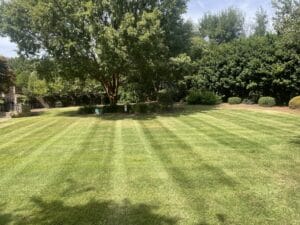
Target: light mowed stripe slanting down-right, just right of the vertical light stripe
(168,192)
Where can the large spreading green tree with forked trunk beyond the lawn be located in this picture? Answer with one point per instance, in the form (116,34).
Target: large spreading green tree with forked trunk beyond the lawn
(97,39)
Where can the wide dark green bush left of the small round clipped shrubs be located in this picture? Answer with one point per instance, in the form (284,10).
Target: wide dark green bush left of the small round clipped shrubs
(196,97)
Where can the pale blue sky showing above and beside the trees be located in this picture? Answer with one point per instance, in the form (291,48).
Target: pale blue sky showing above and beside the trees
(196,9)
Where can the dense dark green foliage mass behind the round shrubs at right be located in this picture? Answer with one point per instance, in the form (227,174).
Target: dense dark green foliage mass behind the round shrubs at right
(250,68)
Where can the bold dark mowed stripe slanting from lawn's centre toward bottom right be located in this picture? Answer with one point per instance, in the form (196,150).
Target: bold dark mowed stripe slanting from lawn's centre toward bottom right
(174,163)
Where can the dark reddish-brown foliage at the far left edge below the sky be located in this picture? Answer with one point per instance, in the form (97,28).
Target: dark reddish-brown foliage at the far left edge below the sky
(6,75)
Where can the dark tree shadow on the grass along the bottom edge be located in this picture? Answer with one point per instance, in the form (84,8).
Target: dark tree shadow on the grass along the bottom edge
(94,213)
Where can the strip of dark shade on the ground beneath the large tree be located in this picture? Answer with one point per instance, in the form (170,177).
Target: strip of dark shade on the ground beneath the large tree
(179,110)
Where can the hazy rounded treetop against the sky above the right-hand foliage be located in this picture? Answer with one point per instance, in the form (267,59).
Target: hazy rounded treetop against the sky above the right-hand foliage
(222,27)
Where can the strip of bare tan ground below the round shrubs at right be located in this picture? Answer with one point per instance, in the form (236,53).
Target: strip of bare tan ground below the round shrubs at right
(284,109)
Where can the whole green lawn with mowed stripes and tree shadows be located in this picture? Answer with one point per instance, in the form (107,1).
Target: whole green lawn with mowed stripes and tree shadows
(204,166)
